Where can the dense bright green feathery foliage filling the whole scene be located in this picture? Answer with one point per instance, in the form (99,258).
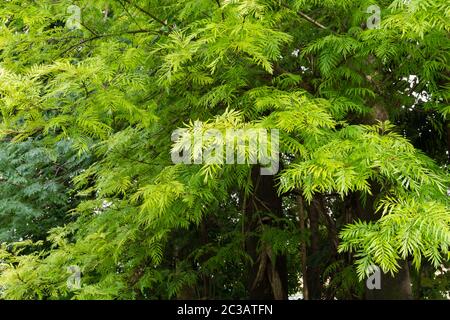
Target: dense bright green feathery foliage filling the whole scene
(88,109)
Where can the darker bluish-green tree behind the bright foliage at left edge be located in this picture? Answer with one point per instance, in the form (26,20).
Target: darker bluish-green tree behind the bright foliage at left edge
(35,188)
